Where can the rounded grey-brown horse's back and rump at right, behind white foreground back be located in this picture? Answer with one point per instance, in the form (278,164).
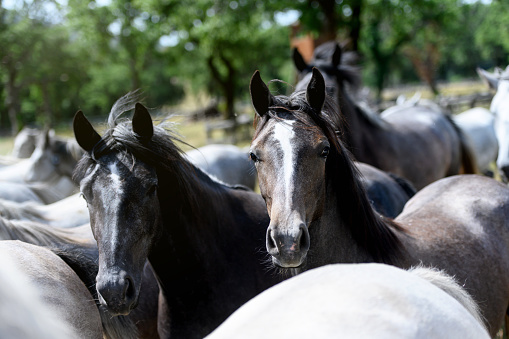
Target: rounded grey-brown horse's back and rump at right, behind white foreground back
(461,224)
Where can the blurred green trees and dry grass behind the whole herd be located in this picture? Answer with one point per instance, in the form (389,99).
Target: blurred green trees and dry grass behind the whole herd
(195,58)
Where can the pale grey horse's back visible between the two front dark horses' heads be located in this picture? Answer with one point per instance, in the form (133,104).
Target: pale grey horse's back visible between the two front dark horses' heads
(228,163)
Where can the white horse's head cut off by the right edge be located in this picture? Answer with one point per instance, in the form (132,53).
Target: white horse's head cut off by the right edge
(499,81)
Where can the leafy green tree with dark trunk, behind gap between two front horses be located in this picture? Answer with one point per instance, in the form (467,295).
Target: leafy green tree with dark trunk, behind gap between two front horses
(231,39)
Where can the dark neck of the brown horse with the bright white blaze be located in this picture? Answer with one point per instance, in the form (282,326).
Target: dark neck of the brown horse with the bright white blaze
(350,230)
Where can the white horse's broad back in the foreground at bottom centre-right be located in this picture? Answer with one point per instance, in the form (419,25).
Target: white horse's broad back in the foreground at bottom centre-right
(359,301)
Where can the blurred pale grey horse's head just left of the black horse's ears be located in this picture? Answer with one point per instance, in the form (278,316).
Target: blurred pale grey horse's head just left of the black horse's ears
(53,157)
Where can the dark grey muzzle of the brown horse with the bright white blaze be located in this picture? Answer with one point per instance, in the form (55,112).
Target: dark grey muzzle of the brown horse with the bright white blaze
(288,248)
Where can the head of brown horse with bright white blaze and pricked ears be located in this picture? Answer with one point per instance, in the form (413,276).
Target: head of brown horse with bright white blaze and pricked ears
(284,140)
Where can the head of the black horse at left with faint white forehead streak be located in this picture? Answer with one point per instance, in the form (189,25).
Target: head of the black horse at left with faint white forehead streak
(121,193)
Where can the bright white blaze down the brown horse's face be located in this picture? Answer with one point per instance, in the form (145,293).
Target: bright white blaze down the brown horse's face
(283,133)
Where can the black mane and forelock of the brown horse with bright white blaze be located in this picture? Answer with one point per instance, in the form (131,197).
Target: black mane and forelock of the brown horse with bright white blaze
(374,233)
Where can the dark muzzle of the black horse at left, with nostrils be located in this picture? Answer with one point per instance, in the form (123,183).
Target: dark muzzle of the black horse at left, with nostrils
(118,293)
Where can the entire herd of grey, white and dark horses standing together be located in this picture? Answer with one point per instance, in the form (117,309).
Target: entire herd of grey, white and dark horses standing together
(367,224)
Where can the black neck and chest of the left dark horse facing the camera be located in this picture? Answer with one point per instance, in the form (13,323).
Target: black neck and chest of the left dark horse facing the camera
(201,253)
